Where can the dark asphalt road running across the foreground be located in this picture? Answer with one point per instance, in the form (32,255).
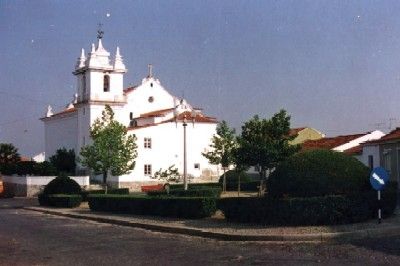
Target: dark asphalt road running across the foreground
(31,238)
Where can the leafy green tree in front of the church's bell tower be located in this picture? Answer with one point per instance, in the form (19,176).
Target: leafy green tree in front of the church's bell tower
(112,150)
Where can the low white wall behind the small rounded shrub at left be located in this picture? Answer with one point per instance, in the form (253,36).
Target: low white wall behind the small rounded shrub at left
(29,186)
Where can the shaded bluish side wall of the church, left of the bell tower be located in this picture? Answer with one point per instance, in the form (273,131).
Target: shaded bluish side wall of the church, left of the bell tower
(60,133)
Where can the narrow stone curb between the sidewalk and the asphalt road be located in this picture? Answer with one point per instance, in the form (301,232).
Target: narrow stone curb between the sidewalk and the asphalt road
(319,237)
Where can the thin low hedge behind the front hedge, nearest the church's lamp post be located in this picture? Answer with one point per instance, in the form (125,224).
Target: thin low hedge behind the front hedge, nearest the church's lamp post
(191,192)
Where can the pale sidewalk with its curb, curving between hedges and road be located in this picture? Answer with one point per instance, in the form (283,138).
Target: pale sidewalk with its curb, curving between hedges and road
(217,228)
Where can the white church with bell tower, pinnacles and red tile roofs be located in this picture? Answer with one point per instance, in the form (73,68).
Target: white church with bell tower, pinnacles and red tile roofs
(149,111)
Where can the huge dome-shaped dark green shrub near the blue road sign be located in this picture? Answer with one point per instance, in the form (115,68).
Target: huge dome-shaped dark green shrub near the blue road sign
(318,173)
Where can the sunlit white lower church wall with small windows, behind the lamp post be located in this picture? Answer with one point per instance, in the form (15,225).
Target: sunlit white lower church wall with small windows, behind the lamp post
(167,149)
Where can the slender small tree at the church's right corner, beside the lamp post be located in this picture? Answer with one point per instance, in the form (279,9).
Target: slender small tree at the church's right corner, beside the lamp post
(223,145)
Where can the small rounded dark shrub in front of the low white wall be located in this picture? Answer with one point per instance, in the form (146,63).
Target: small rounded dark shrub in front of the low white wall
(62,184)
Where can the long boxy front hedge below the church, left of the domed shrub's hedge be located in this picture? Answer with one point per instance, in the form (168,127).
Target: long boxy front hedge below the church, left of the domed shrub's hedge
(158,206)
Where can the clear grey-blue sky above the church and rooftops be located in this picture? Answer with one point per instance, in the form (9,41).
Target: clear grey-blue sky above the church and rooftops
(333,65)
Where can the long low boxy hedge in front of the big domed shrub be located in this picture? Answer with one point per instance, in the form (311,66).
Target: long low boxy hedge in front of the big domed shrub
(326,210)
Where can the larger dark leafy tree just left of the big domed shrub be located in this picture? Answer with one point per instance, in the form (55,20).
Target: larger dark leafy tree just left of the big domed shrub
(265,142)
